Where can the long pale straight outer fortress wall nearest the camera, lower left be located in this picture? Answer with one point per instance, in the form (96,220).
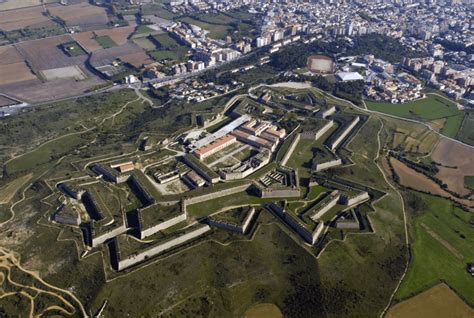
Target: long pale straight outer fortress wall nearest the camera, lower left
(155,250)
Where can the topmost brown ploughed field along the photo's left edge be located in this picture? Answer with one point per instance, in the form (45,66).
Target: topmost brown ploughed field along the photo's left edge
(22,18)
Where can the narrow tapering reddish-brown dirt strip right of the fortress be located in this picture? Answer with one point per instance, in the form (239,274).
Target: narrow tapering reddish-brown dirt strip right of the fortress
(418,181)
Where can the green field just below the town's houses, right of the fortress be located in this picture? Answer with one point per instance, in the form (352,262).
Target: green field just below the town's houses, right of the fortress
(431,108)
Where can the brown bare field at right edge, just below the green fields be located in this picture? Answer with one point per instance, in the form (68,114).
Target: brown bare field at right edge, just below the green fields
(458,160)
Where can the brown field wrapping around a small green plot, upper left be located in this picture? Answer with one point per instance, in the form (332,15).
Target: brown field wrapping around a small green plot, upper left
(118,35)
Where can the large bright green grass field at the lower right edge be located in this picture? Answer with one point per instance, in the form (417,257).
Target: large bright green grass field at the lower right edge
(443,240)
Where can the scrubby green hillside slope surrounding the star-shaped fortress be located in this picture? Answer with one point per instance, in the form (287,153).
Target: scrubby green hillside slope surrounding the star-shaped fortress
(271,267)
